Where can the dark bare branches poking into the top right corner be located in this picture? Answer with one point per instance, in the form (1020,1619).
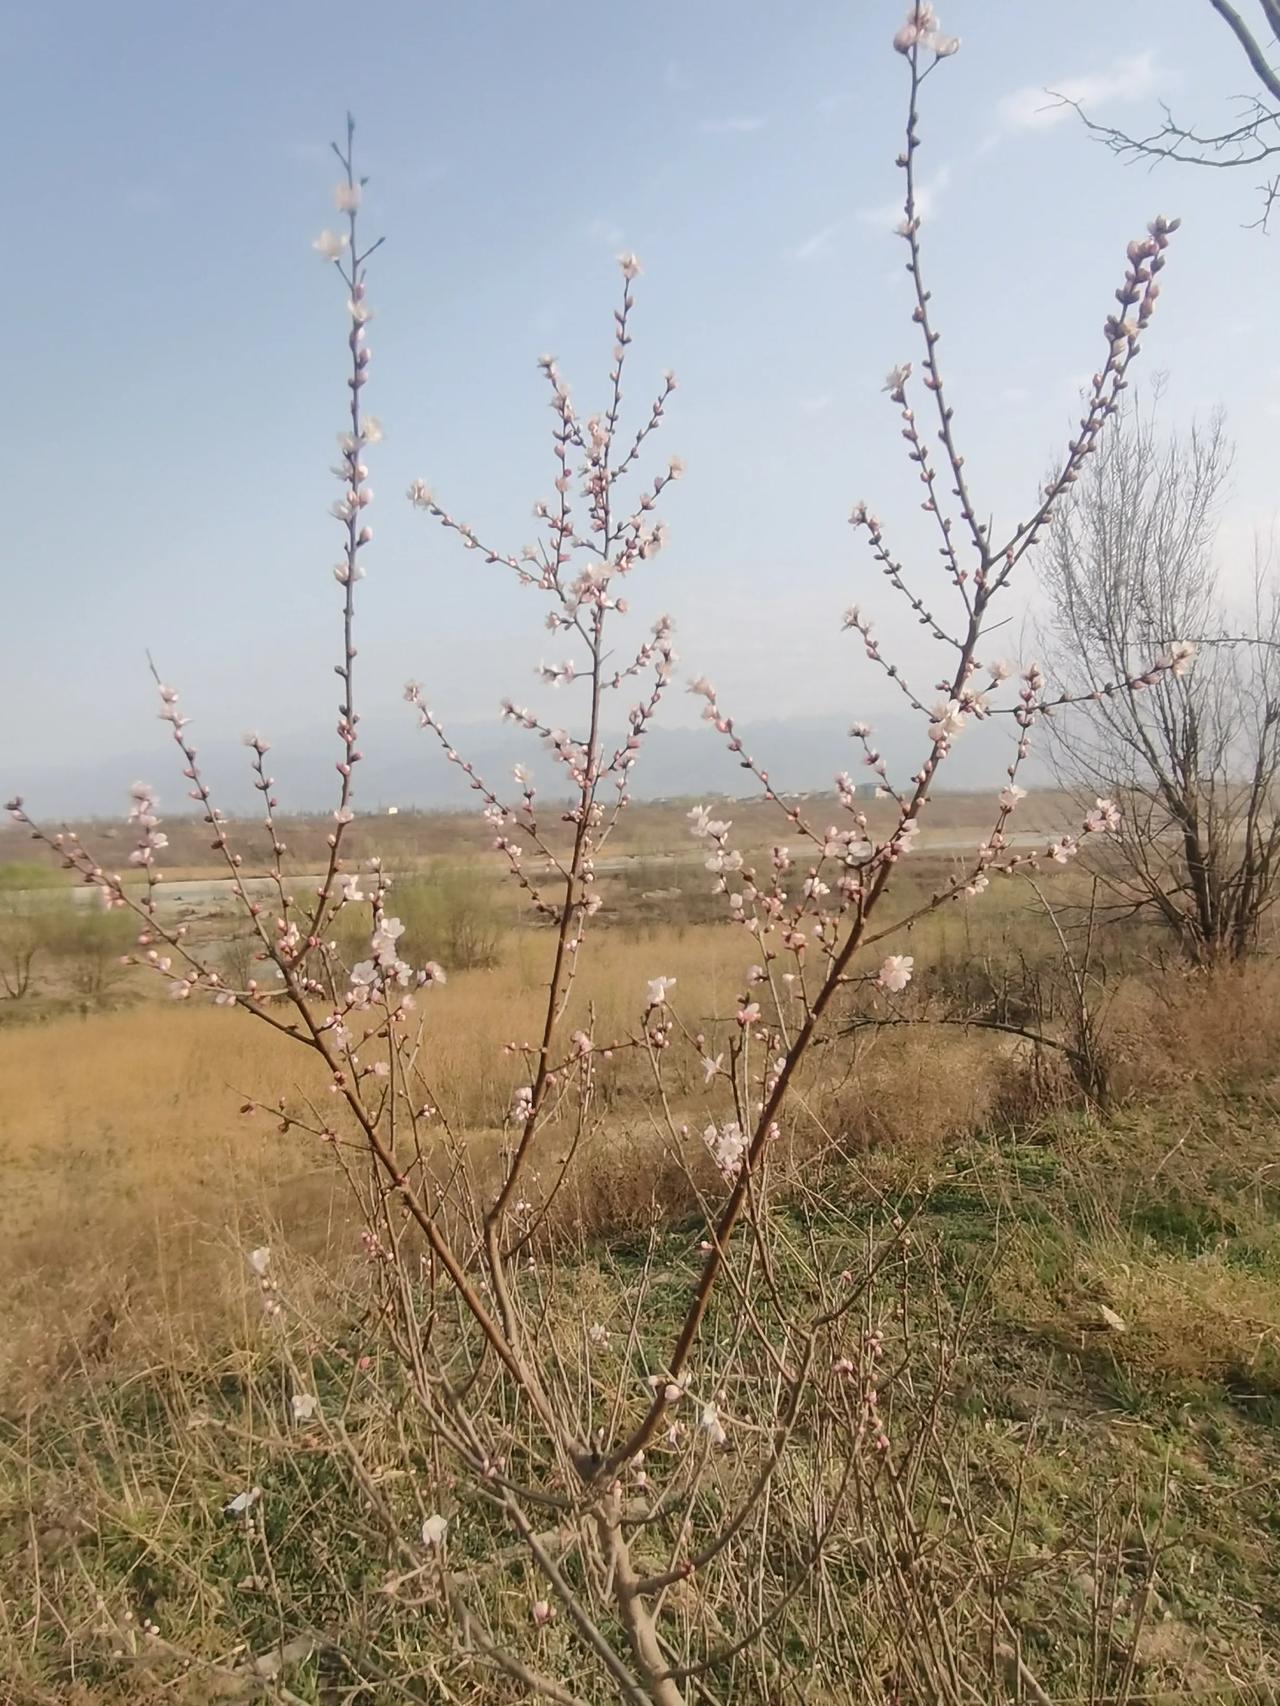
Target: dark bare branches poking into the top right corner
(1254,139)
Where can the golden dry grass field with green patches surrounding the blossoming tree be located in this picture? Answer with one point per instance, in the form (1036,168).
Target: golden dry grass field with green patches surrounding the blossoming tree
(1112,1372)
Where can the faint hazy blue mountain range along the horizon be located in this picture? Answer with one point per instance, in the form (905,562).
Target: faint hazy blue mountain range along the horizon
(407,769)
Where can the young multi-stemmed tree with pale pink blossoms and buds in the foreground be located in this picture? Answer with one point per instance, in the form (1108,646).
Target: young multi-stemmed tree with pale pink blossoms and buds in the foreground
(665,1454)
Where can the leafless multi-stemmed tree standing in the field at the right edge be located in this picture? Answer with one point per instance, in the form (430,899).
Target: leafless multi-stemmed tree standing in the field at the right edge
(1194,753)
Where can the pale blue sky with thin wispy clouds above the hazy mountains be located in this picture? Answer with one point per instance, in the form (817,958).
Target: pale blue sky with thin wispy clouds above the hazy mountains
(175,345)
